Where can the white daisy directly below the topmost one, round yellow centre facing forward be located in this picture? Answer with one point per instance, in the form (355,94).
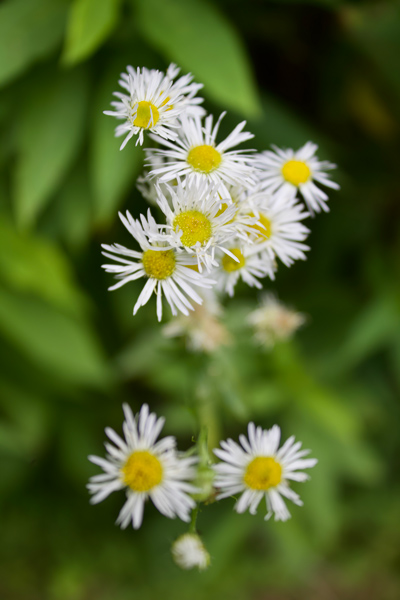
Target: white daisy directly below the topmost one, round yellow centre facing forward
(197,156)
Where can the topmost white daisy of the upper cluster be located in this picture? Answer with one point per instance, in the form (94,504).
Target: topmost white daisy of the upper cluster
(154,103)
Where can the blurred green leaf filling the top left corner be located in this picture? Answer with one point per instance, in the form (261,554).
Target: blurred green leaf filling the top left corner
(29,30)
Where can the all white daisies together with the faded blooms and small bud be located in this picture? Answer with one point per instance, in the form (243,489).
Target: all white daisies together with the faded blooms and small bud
(224,215)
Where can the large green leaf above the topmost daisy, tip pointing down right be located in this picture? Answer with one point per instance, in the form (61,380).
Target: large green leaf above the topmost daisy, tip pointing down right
(199,38)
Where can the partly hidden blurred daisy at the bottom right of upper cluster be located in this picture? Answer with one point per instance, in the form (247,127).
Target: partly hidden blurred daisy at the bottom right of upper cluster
(247,266)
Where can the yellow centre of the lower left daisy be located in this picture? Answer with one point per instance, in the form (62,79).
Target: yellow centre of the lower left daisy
(142,471)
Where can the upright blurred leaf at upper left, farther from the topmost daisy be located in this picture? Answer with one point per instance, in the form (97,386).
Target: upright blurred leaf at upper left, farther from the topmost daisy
(50,134)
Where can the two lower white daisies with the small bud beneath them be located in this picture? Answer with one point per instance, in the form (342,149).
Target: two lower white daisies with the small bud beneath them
(147,468)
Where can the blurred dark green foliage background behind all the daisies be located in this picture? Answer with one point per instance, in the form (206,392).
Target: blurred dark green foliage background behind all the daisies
(325,70)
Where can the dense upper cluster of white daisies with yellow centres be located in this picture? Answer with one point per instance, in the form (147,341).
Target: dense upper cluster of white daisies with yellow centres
(228,214)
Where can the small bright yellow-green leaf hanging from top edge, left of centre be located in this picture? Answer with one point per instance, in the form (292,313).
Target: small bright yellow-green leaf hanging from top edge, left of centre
(90,23)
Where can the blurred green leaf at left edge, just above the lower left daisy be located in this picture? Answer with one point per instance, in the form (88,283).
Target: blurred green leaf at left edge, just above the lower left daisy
(67,347)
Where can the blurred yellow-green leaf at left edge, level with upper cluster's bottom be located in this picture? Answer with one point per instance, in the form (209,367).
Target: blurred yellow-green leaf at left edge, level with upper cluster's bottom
(32,264)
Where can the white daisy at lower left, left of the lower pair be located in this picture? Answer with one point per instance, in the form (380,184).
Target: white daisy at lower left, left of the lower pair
(145,468)
